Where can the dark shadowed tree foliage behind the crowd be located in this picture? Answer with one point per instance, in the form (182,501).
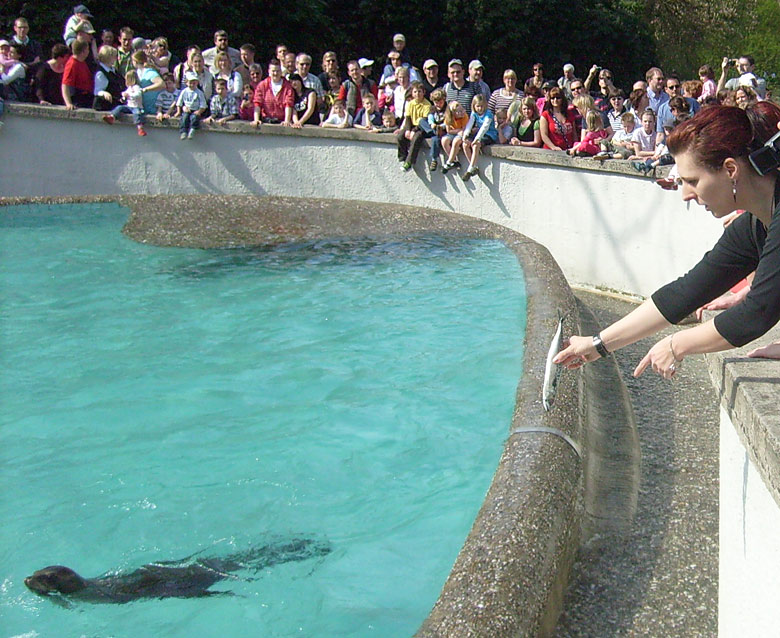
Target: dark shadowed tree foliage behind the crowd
(507,34)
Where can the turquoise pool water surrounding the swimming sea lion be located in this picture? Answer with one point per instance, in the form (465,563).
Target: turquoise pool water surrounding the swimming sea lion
(157,402)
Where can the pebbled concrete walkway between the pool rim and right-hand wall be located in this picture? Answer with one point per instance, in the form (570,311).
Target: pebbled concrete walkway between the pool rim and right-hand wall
(659,577)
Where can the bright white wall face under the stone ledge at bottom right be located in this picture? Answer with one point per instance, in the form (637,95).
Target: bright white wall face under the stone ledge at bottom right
(749,568)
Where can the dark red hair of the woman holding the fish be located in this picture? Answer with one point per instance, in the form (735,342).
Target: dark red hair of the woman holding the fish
(719,132)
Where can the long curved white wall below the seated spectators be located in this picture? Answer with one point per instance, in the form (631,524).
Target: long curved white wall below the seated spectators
(607,229)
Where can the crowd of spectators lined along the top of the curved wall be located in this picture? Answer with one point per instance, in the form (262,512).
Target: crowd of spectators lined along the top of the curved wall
(457,113)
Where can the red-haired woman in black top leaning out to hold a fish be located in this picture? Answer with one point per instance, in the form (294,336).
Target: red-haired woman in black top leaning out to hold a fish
(712,153)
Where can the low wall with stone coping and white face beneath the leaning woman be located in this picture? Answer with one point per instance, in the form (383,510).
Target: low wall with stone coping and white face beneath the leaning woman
(749,491)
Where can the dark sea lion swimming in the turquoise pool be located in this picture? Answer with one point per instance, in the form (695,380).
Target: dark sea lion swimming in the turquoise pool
(186,578)
